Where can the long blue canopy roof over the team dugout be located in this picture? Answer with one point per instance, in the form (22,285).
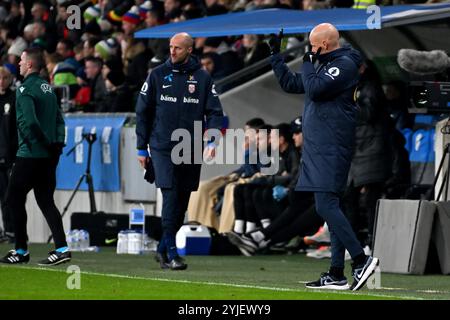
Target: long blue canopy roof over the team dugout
(296,21)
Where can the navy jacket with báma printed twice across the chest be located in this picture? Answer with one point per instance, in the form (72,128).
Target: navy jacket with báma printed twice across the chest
(174,97)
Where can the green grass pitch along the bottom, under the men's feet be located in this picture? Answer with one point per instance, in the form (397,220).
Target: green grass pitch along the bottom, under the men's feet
(106,275)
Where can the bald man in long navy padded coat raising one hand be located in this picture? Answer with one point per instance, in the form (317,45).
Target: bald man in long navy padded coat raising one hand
(329,120)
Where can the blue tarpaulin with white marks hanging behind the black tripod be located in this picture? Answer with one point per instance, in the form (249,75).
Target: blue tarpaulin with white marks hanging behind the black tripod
(105,153)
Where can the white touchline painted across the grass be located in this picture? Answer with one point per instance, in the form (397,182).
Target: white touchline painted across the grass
(230,284)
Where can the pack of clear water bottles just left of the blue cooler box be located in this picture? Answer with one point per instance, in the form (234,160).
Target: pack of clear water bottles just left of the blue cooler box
(134,242)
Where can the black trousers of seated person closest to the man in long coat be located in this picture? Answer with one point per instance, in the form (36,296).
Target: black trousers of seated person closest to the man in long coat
(298,219)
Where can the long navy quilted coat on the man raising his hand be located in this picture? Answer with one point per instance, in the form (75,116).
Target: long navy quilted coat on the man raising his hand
(329,116)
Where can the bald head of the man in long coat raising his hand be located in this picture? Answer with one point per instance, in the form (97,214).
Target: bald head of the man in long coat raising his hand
(324,36)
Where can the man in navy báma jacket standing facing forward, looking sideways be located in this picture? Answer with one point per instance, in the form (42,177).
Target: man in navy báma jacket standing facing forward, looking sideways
(175,95)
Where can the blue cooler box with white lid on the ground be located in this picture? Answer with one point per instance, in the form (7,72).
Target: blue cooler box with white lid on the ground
(193,240)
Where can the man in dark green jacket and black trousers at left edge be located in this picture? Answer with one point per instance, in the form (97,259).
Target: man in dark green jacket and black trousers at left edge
(41,133)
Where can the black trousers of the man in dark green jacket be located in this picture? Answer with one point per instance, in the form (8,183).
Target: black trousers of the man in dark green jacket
(39,175)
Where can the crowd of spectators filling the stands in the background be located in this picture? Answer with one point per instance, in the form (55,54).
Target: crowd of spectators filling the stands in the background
(101,65)
